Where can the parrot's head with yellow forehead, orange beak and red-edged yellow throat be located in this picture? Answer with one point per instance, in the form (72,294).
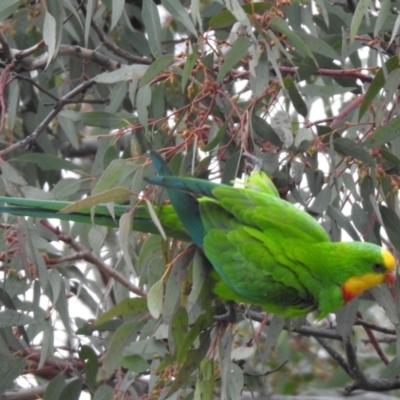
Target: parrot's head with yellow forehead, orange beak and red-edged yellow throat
(381,270)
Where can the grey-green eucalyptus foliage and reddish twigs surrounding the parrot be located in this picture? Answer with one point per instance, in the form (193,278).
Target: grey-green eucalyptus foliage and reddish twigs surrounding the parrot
(88,87)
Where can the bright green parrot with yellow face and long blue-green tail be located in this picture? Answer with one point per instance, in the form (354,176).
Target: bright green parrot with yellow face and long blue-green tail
(264,250)
